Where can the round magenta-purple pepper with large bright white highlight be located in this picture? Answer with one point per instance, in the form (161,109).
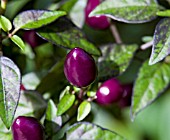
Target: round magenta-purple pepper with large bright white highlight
(109,92)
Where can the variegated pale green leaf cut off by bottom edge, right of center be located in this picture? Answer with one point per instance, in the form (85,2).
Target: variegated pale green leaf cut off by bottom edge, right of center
(89,131)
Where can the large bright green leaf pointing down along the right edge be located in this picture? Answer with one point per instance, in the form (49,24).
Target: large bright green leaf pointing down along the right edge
(150,83)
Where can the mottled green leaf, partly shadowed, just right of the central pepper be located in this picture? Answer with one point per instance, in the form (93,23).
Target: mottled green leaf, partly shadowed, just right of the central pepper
(115,60)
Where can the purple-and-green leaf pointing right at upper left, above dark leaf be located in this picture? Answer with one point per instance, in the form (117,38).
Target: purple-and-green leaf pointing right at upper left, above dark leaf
(32,19)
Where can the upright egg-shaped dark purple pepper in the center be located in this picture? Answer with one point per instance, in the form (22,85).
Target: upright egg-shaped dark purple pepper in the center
(80,68)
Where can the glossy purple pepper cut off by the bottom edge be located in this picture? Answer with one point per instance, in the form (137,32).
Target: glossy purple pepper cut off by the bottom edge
(27,128)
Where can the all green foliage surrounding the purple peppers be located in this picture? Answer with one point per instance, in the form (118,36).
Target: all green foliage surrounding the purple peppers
(140,59)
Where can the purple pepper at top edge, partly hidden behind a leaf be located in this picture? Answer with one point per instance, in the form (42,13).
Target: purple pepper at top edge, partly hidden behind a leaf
(97,22)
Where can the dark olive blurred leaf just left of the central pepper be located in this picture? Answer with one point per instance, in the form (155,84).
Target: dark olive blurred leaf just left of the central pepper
(55,81)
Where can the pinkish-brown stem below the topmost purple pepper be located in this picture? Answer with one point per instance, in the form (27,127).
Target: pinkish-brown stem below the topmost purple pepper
(115,33)
